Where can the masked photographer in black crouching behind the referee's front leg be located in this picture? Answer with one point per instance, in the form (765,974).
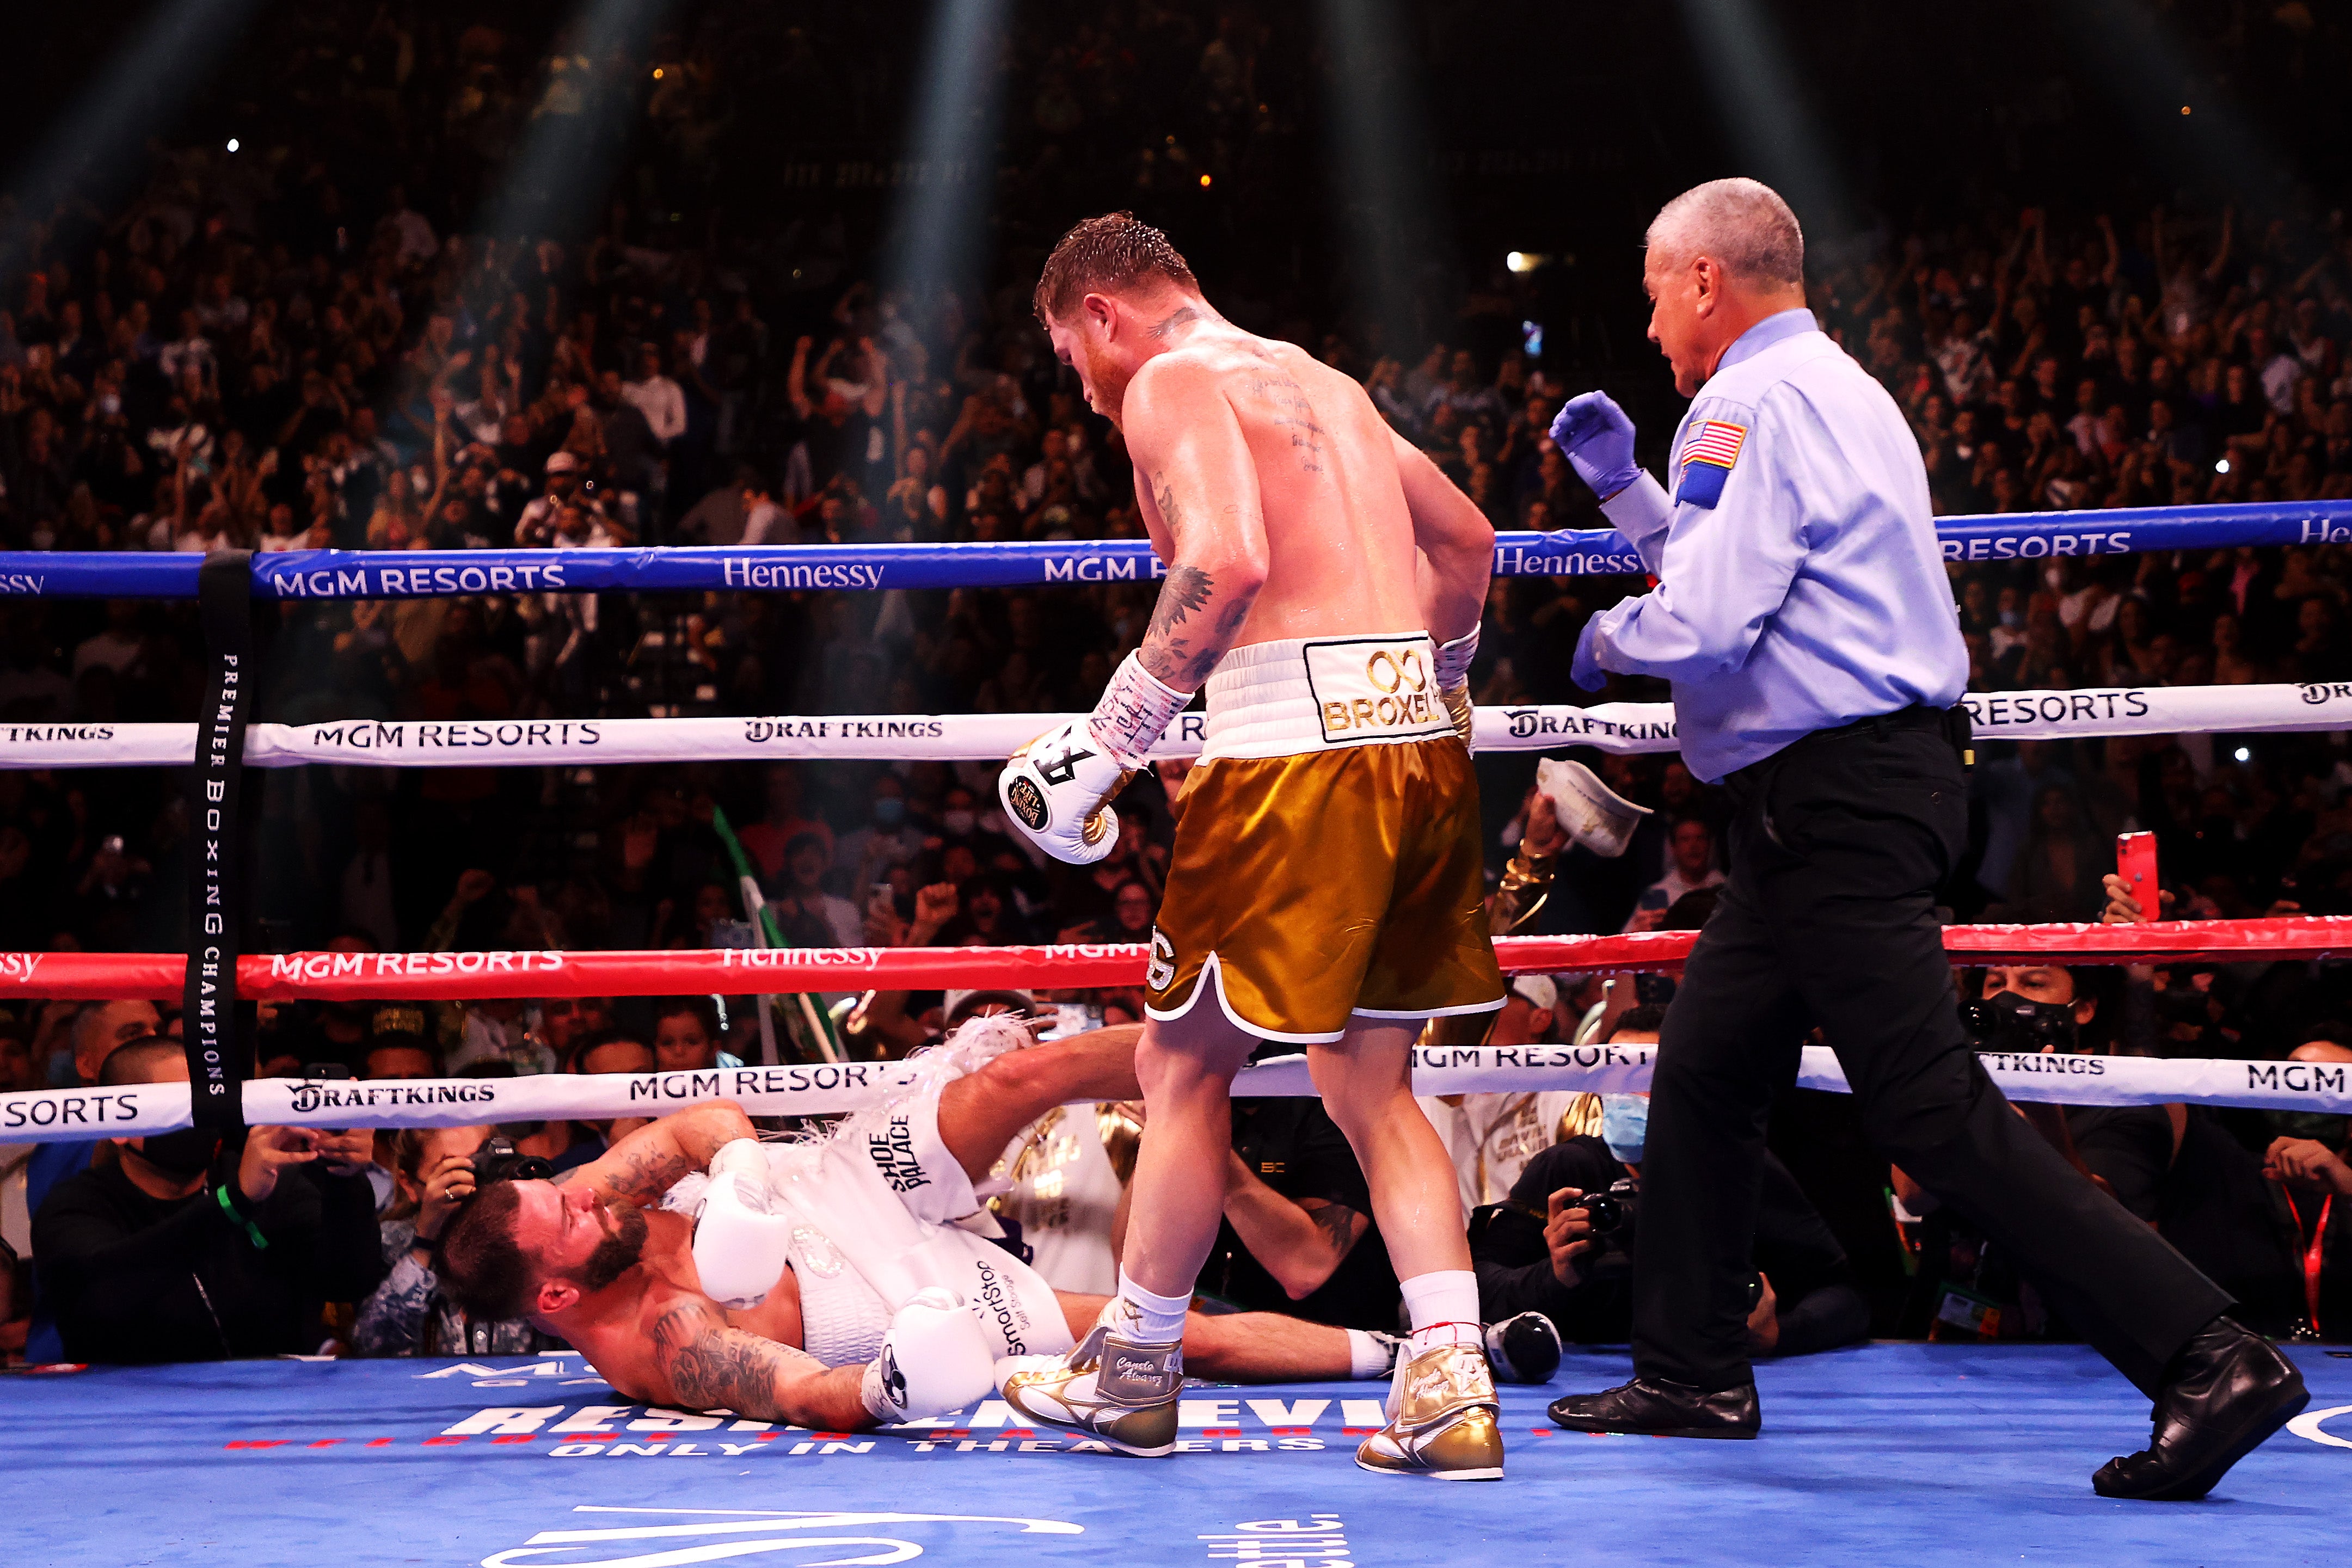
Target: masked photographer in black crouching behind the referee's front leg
(1542,1249)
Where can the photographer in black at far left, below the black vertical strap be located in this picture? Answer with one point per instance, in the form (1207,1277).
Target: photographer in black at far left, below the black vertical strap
(175,1249)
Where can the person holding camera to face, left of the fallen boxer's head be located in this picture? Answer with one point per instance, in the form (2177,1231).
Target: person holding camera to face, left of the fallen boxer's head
(408,1315)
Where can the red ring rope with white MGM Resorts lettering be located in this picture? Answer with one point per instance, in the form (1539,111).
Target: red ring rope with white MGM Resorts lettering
(429,977)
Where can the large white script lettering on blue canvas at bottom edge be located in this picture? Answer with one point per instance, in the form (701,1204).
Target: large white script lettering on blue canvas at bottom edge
(650,1539)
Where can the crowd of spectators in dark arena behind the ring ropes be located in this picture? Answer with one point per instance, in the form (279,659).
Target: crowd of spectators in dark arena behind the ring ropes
(290,349)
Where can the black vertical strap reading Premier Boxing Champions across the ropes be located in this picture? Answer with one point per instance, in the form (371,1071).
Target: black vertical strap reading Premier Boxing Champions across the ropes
(225,591)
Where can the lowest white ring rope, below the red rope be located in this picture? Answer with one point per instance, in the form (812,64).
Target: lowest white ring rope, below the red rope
(827,1090)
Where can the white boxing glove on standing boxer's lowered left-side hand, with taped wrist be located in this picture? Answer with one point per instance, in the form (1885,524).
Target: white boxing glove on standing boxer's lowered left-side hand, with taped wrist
(1060,786)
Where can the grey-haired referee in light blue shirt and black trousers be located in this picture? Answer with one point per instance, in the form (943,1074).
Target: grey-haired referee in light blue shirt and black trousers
(1808,624)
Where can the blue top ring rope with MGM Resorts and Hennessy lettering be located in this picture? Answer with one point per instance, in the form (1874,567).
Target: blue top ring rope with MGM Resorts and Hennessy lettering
(420,575)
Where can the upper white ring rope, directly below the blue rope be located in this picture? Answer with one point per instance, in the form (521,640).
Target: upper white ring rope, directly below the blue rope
(987,737)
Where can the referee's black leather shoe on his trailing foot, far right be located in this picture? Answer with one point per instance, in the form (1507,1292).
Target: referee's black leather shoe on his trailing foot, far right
(2224,1395)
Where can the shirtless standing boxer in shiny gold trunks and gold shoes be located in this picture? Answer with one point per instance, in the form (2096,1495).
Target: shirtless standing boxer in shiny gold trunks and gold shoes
(1325,582)
